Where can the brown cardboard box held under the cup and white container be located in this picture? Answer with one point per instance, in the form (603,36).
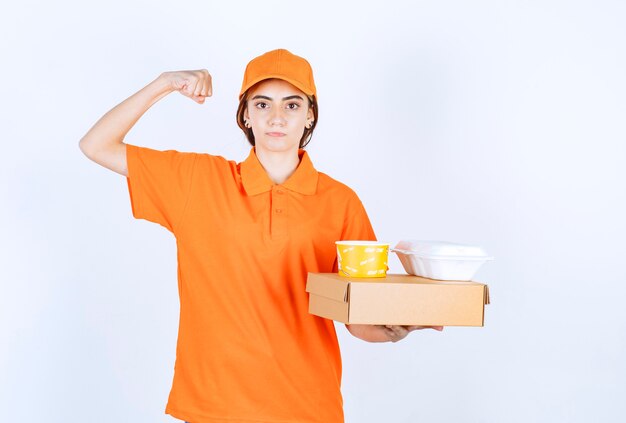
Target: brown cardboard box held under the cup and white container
(397,300)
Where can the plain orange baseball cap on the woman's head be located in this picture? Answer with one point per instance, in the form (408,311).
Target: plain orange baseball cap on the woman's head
(280,64)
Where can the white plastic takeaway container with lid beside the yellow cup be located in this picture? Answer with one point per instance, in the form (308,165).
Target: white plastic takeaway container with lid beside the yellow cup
(440,260)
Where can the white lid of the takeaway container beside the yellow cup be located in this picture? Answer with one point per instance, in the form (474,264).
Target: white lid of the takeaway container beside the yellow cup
(441,250)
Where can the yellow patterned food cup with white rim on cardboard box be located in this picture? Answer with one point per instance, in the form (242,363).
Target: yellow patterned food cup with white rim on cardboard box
(362,259)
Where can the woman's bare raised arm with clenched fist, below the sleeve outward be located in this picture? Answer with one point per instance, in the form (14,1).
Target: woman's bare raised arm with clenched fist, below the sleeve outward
(104,142)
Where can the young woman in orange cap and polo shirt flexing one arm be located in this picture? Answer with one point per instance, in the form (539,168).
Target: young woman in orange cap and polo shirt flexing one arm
(247,234)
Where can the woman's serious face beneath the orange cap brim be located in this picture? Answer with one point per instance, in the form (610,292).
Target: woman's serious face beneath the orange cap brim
(278,113)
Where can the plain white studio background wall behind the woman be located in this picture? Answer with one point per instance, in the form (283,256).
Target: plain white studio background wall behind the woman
(496,123)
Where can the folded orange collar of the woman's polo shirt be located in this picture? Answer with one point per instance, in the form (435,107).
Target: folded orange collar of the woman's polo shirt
(255,180)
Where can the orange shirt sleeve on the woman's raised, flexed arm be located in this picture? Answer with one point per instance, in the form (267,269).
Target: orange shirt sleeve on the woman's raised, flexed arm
(159,183)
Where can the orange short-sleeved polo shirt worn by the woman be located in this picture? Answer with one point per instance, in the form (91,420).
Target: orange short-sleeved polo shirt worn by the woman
(248,350)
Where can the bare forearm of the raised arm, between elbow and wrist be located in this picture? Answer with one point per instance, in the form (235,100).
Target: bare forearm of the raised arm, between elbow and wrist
(111,129)
